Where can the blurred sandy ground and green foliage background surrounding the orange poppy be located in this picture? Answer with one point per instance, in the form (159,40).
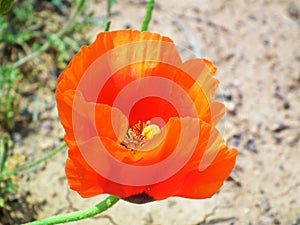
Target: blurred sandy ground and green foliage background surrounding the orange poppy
(256,47)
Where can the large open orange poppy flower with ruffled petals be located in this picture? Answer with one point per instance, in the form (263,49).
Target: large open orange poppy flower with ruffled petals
(140,123)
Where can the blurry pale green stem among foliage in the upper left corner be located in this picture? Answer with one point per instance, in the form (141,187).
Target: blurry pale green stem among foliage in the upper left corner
(65,28)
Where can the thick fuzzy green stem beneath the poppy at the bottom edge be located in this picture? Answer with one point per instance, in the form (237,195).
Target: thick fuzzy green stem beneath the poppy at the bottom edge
(78,215)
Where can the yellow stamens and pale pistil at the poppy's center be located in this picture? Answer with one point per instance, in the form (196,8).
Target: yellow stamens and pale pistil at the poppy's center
(139,134)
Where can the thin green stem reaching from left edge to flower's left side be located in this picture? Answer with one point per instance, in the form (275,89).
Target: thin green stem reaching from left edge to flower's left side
(34,163)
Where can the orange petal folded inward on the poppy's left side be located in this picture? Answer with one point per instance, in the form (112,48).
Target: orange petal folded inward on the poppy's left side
(83,120)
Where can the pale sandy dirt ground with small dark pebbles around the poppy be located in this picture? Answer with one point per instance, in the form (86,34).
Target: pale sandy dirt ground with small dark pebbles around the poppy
(256,46)
